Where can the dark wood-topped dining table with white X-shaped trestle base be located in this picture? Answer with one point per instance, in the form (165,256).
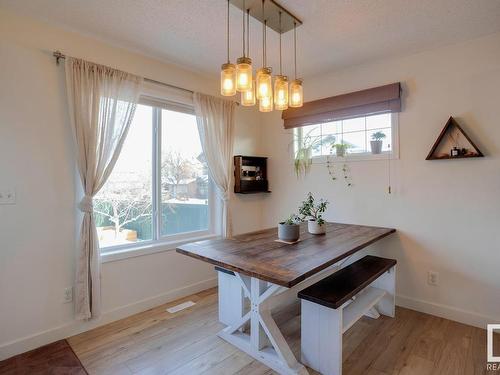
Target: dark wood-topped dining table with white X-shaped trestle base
(269,273)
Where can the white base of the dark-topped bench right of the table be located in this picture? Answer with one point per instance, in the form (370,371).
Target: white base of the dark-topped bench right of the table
(322,327)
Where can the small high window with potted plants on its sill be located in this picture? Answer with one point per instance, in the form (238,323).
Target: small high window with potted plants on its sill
(355,133)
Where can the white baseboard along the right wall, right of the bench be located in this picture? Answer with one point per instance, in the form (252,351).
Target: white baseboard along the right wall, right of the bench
(448,312)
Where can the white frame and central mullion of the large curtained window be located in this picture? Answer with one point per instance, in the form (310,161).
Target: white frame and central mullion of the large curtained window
(161,242)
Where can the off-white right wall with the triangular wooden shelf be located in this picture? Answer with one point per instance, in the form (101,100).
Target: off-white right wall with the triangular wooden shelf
(447,213)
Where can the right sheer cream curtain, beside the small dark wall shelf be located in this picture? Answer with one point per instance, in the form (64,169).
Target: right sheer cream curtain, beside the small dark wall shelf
(215,119)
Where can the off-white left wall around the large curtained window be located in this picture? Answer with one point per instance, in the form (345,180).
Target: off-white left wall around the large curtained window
(37,235)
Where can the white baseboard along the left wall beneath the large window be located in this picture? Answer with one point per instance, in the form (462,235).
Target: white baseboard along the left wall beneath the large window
(27,343)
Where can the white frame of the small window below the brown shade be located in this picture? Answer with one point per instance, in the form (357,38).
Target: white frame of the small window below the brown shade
(360,156)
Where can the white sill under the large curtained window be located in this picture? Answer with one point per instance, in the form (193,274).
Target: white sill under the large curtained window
(152,248)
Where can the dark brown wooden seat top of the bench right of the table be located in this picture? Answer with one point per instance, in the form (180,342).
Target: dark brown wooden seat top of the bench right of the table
(337,289)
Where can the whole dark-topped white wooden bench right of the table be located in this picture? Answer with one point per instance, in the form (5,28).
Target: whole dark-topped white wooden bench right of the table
(332,305)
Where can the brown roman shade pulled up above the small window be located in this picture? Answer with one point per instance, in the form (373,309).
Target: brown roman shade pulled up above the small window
(383,99)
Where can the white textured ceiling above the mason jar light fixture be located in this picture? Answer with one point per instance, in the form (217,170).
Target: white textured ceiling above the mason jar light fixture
(336,33)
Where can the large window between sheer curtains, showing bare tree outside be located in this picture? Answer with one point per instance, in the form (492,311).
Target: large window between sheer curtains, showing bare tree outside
(159,189)
